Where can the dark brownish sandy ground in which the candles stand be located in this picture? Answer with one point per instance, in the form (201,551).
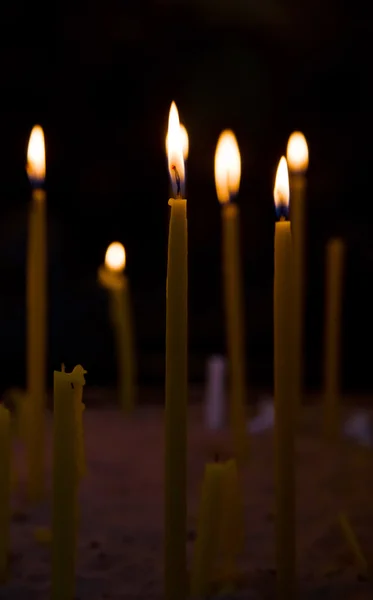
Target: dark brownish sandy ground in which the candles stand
(120,547)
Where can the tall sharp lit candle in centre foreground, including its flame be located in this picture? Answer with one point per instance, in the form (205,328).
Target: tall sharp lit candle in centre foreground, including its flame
(176,373)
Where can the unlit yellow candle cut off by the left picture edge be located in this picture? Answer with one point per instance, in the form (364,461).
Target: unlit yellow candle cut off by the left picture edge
(5,484)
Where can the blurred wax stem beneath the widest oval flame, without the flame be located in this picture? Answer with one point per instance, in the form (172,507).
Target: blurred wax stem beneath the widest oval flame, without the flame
(235,329)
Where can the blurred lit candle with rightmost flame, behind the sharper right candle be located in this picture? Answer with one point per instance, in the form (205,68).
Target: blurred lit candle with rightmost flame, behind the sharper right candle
(297,158)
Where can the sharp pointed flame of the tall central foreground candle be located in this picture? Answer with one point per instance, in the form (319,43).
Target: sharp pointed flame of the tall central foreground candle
(175,151)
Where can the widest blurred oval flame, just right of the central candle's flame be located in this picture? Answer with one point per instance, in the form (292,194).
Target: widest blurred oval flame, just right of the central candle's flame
(227,167)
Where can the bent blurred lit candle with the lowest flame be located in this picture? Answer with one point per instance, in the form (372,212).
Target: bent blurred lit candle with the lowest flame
(112,276)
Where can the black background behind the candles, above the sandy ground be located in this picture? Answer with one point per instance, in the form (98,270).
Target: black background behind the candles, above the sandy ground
(99,78)
